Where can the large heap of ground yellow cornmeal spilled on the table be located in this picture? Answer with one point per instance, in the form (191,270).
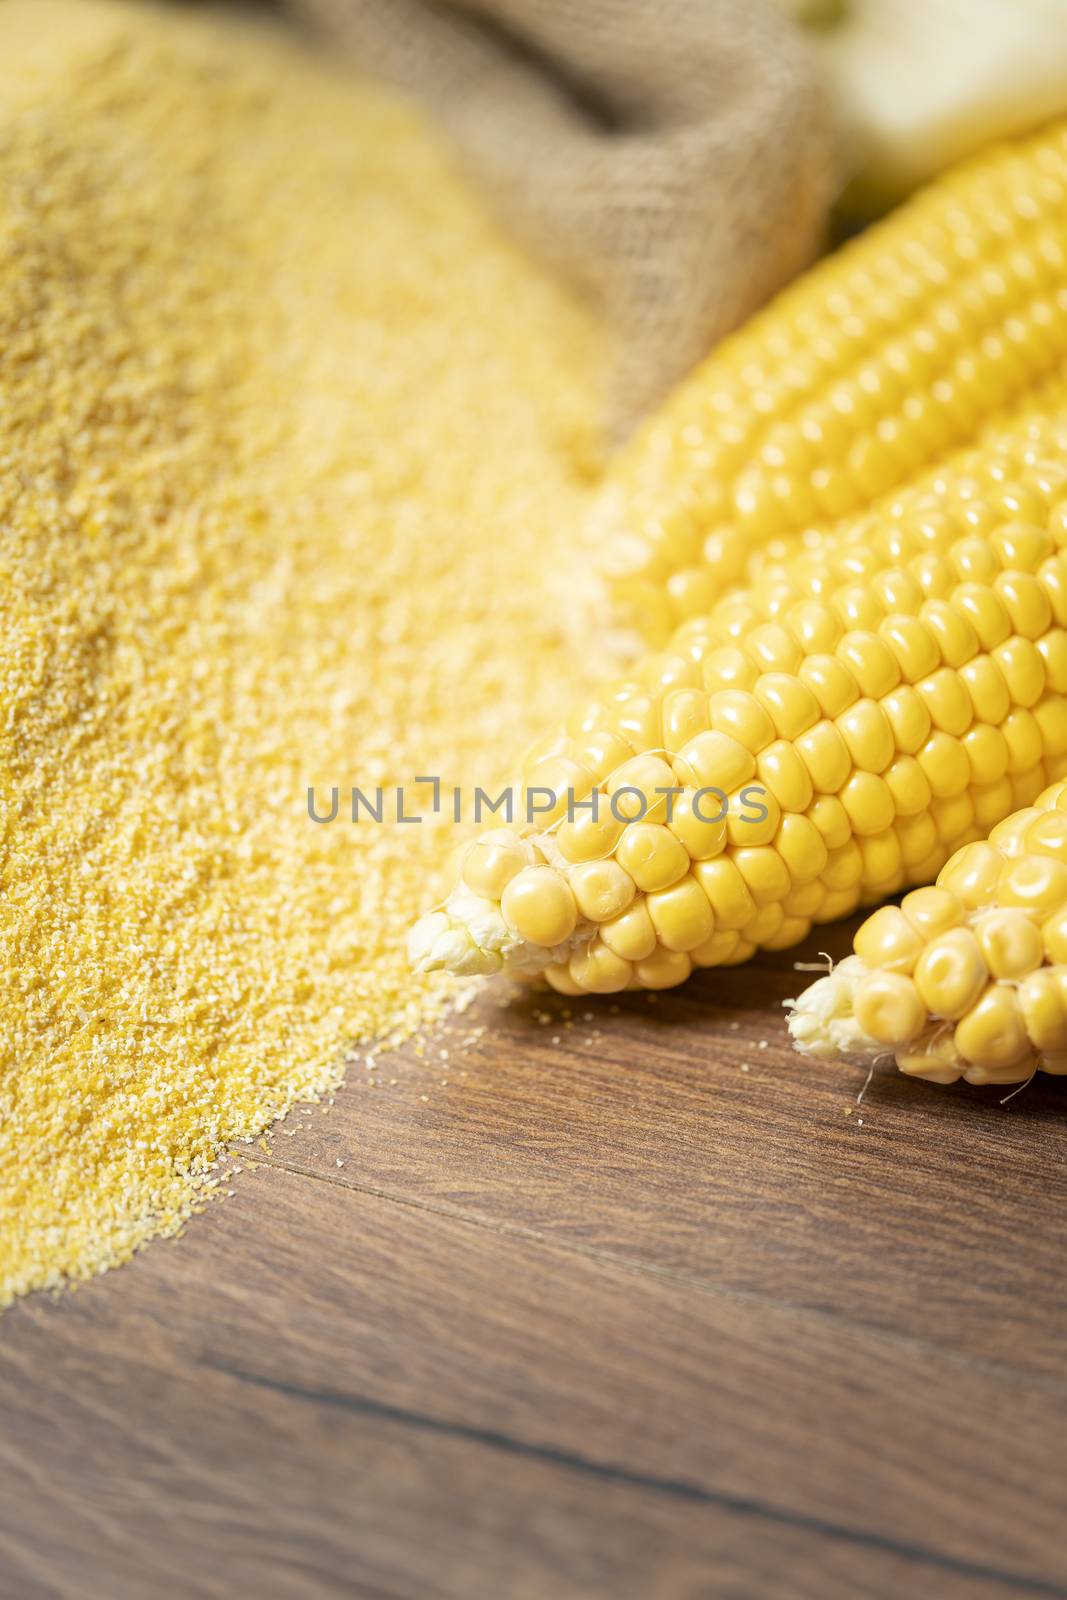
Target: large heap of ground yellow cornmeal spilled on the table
(287,434)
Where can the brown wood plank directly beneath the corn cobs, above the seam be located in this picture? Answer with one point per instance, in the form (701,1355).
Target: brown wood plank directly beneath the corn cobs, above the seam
(933,1214)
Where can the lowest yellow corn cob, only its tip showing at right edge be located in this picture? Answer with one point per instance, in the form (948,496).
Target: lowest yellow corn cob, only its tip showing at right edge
(965,980)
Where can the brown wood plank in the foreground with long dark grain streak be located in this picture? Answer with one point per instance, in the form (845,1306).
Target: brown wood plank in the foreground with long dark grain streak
(324,1391)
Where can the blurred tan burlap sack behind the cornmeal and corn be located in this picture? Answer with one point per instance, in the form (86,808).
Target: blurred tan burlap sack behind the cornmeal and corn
(673,156)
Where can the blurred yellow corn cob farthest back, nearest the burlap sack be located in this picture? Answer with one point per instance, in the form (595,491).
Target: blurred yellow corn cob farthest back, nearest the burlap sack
(871,369)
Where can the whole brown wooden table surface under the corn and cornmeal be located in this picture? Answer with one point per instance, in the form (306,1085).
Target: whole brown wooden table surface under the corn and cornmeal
(628,1303)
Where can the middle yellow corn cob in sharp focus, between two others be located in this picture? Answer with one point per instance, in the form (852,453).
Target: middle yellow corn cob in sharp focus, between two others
(879,702)
